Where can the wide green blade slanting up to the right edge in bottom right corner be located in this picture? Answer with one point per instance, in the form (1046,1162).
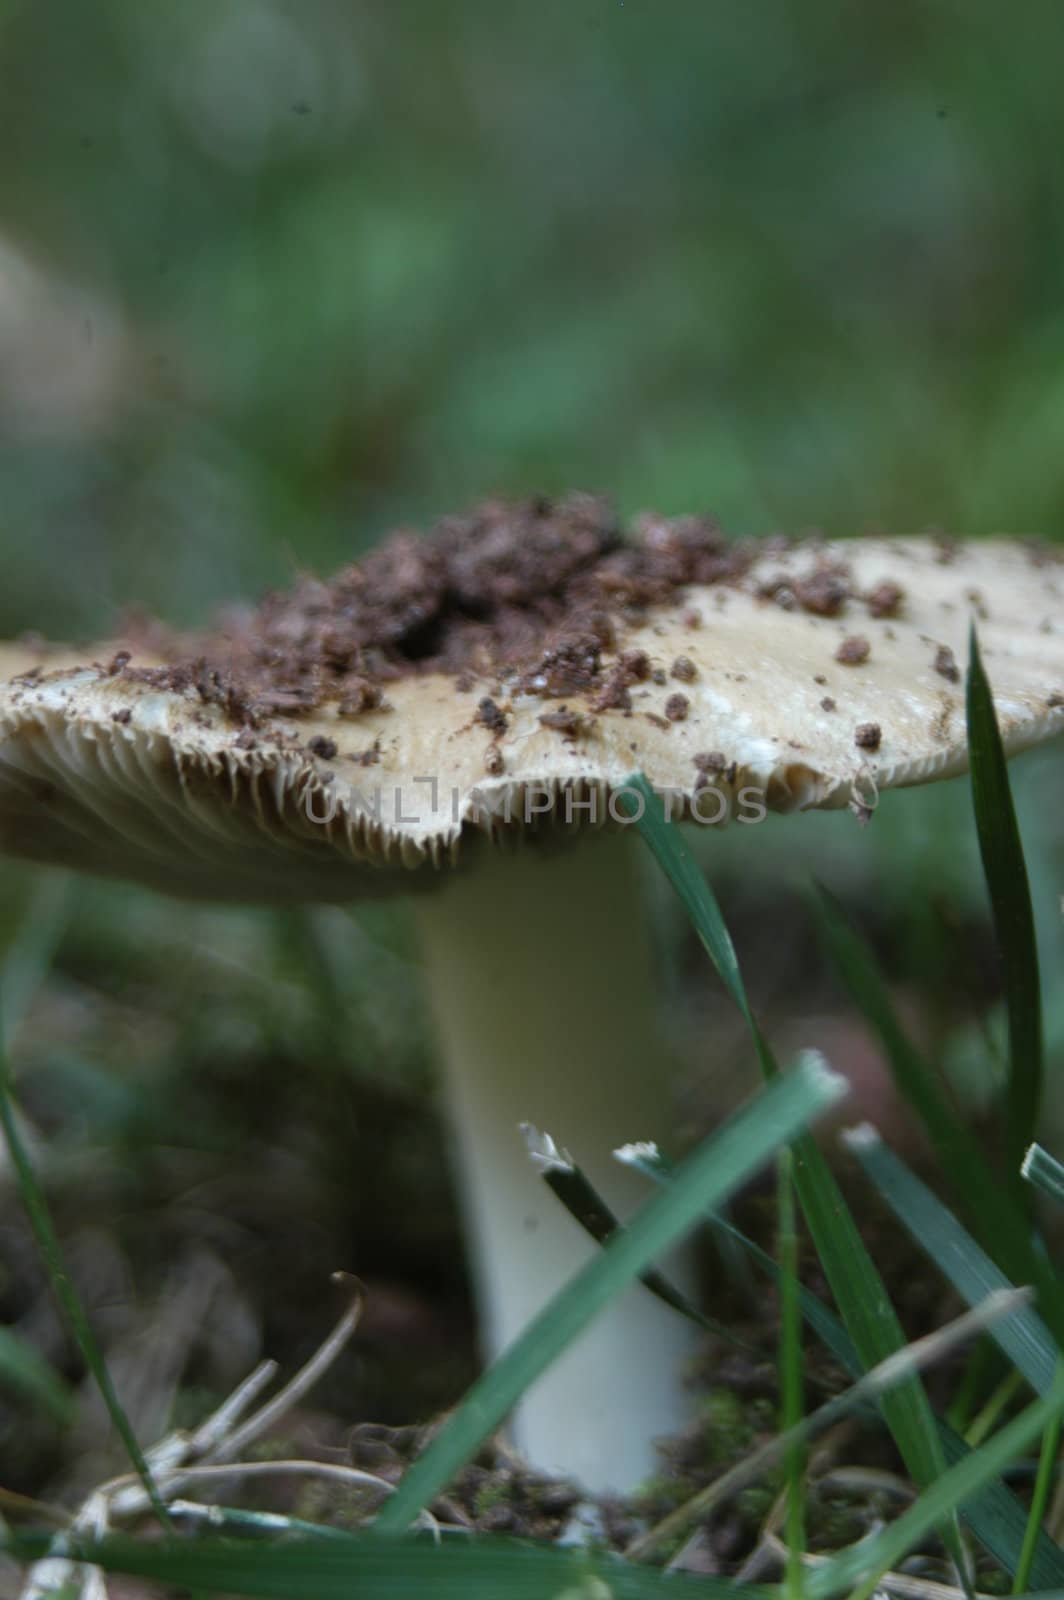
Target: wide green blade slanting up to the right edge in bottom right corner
(862,1566)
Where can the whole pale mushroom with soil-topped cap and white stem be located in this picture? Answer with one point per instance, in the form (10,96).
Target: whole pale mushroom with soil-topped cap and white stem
(444,718)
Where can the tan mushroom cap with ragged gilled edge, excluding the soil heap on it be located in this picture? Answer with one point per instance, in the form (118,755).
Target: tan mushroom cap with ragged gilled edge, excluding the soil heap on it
(748,692)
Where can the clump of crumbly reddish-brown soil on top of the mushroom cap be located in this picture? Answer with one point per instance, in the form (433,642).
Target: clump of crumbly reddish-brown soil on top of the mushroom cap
(530,593)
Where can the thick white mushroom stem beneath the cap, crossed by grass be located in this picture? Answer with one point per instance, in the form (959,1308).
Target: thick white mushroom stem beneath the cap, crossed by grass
(542,978)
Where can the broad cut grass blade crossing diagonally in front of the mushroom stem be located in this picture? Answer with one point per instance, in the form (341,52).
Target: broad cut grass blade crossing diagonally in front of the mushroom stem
(705,1180)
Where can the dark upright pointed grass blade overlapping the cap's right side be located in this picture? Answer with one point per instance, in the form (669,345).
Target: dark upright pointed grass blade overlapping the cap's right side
(1006,874)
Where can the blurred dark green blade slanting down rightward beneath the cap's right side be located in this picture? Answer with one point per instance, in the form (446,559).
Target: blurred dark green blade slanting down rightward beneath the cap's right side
(998,1220)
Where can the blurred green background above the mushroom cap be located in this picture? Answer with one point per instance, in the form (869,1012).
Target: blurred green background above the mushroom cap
(278,276)
